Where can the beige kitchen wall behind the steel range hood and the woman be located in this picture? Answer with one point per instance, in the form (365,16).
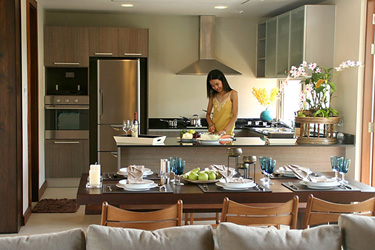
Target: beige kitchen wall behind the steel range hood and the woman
(173,45)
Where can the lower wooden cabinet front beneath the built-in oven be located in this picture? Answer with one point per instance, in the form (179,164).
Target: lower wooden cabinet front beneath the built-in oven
(66,158)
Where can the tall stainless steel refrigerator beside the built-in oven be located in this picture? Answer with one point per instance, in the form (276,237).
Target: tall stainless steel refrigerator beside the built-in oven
(118,99)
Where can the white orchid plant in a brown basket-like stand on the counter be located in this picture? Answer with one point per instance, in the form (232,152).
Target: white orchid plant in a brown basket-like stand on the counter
(316,115)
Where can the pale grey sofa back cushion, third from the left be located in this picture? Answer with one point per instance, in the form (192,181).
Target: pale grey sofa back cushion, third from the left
(231,236)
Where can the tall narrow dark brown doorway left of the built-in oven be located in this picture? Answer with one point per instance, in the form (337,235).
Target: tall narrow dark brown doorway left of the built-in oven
(33,100)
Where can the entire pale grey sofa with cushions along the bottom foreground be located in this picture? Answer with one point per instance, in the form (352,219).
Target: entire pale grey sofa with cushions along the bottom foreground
(352,232)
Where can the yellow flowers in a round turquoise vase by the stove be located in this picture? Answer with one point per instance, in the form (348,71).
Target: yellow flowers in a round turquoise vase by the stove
(266,99)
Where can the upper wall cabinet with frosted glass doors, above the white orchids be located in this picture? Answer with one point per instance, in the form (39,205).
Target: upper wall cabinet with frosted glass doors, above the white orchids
(303,34)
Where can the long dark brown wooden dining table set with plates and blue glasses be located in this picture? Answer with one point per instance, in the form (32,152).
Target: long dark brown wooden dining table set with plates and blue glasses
(208,197)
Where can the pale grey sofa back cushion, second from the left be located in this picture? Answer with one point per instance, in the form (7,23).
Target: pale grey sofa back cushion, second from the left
(184,237)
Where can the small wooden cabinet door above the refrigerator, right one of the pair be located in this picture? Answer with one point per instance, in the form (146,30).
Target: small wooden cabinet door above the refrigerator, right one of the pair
(133,42)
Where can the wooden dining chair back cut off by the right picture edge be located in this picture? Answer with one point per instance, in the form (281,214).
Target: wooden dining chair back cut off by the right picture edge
(319,211)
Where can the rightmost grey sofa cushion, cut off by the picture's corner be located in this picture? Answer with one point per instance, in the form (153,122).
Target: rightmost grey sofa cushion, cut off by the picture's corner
(357,231)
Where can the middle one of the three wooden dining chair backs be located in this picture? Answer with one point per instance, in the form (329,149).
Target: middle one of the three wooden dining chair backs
(275,215)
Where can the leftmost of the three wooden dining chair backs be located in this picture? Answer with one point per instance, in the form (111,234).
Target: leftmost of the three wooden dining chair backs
(166,217)
